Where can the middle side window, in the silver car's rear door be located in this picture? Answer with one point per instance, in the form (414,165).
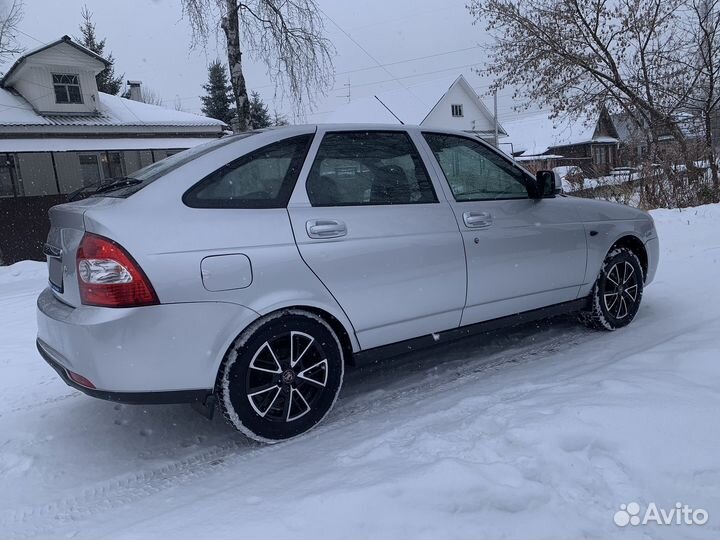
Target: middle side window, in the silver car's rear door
(368,168)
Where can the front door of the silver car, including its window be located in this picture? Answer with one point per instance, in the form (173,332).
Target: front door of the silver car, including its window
(522,253)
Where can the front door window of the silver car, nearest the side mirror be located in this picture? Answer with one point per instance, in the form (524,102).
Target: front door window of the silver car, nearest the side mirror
(474,172)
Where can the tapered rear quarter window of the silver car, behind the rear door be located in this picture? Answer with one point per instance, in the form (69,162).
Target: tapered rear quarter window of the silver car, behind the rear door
(262,179)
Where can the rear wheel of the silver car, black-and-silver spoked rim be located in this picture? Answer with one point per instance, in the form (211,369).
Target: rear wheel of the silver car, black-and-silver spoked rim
(281,376)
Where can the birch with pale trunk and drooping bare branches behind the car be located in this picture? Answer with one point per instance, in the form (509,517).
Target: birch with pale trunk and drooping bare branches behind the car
(285,35)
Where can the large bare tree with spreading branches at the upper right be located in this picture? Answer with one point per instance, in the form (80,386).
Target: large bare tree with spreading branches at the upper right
(575,56)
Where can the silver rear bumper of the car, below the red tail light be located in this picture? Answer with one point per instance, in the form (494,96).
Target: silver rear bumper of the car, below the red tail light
(133,354)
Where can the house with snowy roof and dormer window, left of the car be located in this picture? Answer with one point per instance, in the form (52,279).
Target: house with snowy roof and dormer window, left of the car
(58,134)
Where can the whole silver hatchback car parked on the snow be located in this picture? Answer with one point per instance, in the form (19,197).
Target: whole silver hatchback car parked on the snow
(246,272)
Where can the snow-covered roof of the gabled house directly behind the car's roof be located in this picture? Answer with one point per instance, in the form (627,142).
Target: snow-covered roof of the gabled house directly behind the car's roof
(410,105)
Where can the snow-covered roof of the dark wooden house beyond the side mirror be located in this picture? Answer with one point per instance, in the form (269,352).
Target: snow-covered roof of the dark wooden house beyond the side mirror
(536,133)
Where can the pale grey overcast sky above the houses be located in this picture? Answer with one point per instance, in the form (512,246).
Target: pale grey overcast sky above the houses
(151,42)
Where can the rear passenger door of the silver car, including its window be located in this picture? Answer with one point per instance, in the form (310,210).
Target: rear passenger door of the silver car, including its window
(369,223)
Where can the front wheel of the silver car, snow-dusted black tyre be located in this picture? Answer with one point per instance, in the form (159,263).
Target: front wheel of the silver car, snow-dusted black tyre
(617,293)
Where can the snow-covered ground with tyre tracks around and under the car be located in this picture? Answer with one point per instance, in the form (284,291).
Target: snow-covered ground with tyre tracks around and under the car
(538,432)
